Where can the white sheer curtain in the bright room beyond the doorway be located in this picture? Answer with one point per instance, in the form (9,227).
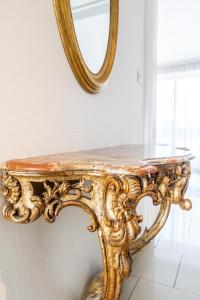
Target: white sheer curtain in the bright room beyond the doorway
(178,111)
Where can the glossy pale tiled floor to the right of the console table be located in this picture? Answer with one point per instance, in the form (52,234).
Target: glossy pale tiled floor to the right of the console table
(169,268)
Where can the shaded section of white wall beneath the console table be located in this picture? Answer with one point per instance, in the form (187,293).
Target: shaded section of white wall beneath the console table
(47,261)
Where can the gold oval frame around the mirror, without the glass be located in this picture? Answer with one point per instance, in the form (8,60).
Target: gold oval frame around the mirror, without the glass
(92,83)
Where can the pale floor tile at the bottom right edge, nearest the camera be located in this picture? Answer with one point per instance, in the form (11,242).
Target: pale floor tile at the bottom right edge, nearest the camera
(146,290)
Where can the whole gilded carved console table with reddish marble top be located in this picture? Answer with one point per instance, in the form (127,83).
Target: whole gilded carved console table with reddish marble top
(108,184)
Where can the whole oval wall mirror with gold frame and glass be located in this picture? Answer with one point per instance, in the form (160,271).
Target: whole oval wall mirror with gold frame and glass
(88,29)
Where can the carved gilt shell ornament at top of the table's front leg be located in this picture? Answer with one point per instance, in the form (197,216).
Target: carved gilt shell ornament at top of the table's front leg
(120,209)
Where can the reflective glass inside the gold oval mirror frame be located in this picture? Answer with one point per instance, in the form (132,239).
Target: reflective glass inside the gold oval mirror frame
(91,22)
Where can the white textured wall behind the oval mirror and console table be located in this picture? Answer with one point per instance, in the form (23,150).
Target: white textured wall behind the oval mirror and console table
(44,110)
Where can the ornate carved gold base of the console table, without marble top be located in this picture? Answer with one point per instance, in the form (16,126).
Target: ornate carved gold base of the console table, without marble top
(111,202)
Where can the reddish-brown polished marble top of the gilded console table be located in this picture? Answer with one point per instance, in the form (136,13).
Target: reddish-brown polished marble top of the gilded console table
(125,159)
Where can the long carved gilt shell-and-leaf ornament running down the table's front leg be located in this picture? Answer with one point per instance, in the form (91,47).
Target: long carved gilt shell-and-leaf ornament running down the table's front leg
(122,219)
